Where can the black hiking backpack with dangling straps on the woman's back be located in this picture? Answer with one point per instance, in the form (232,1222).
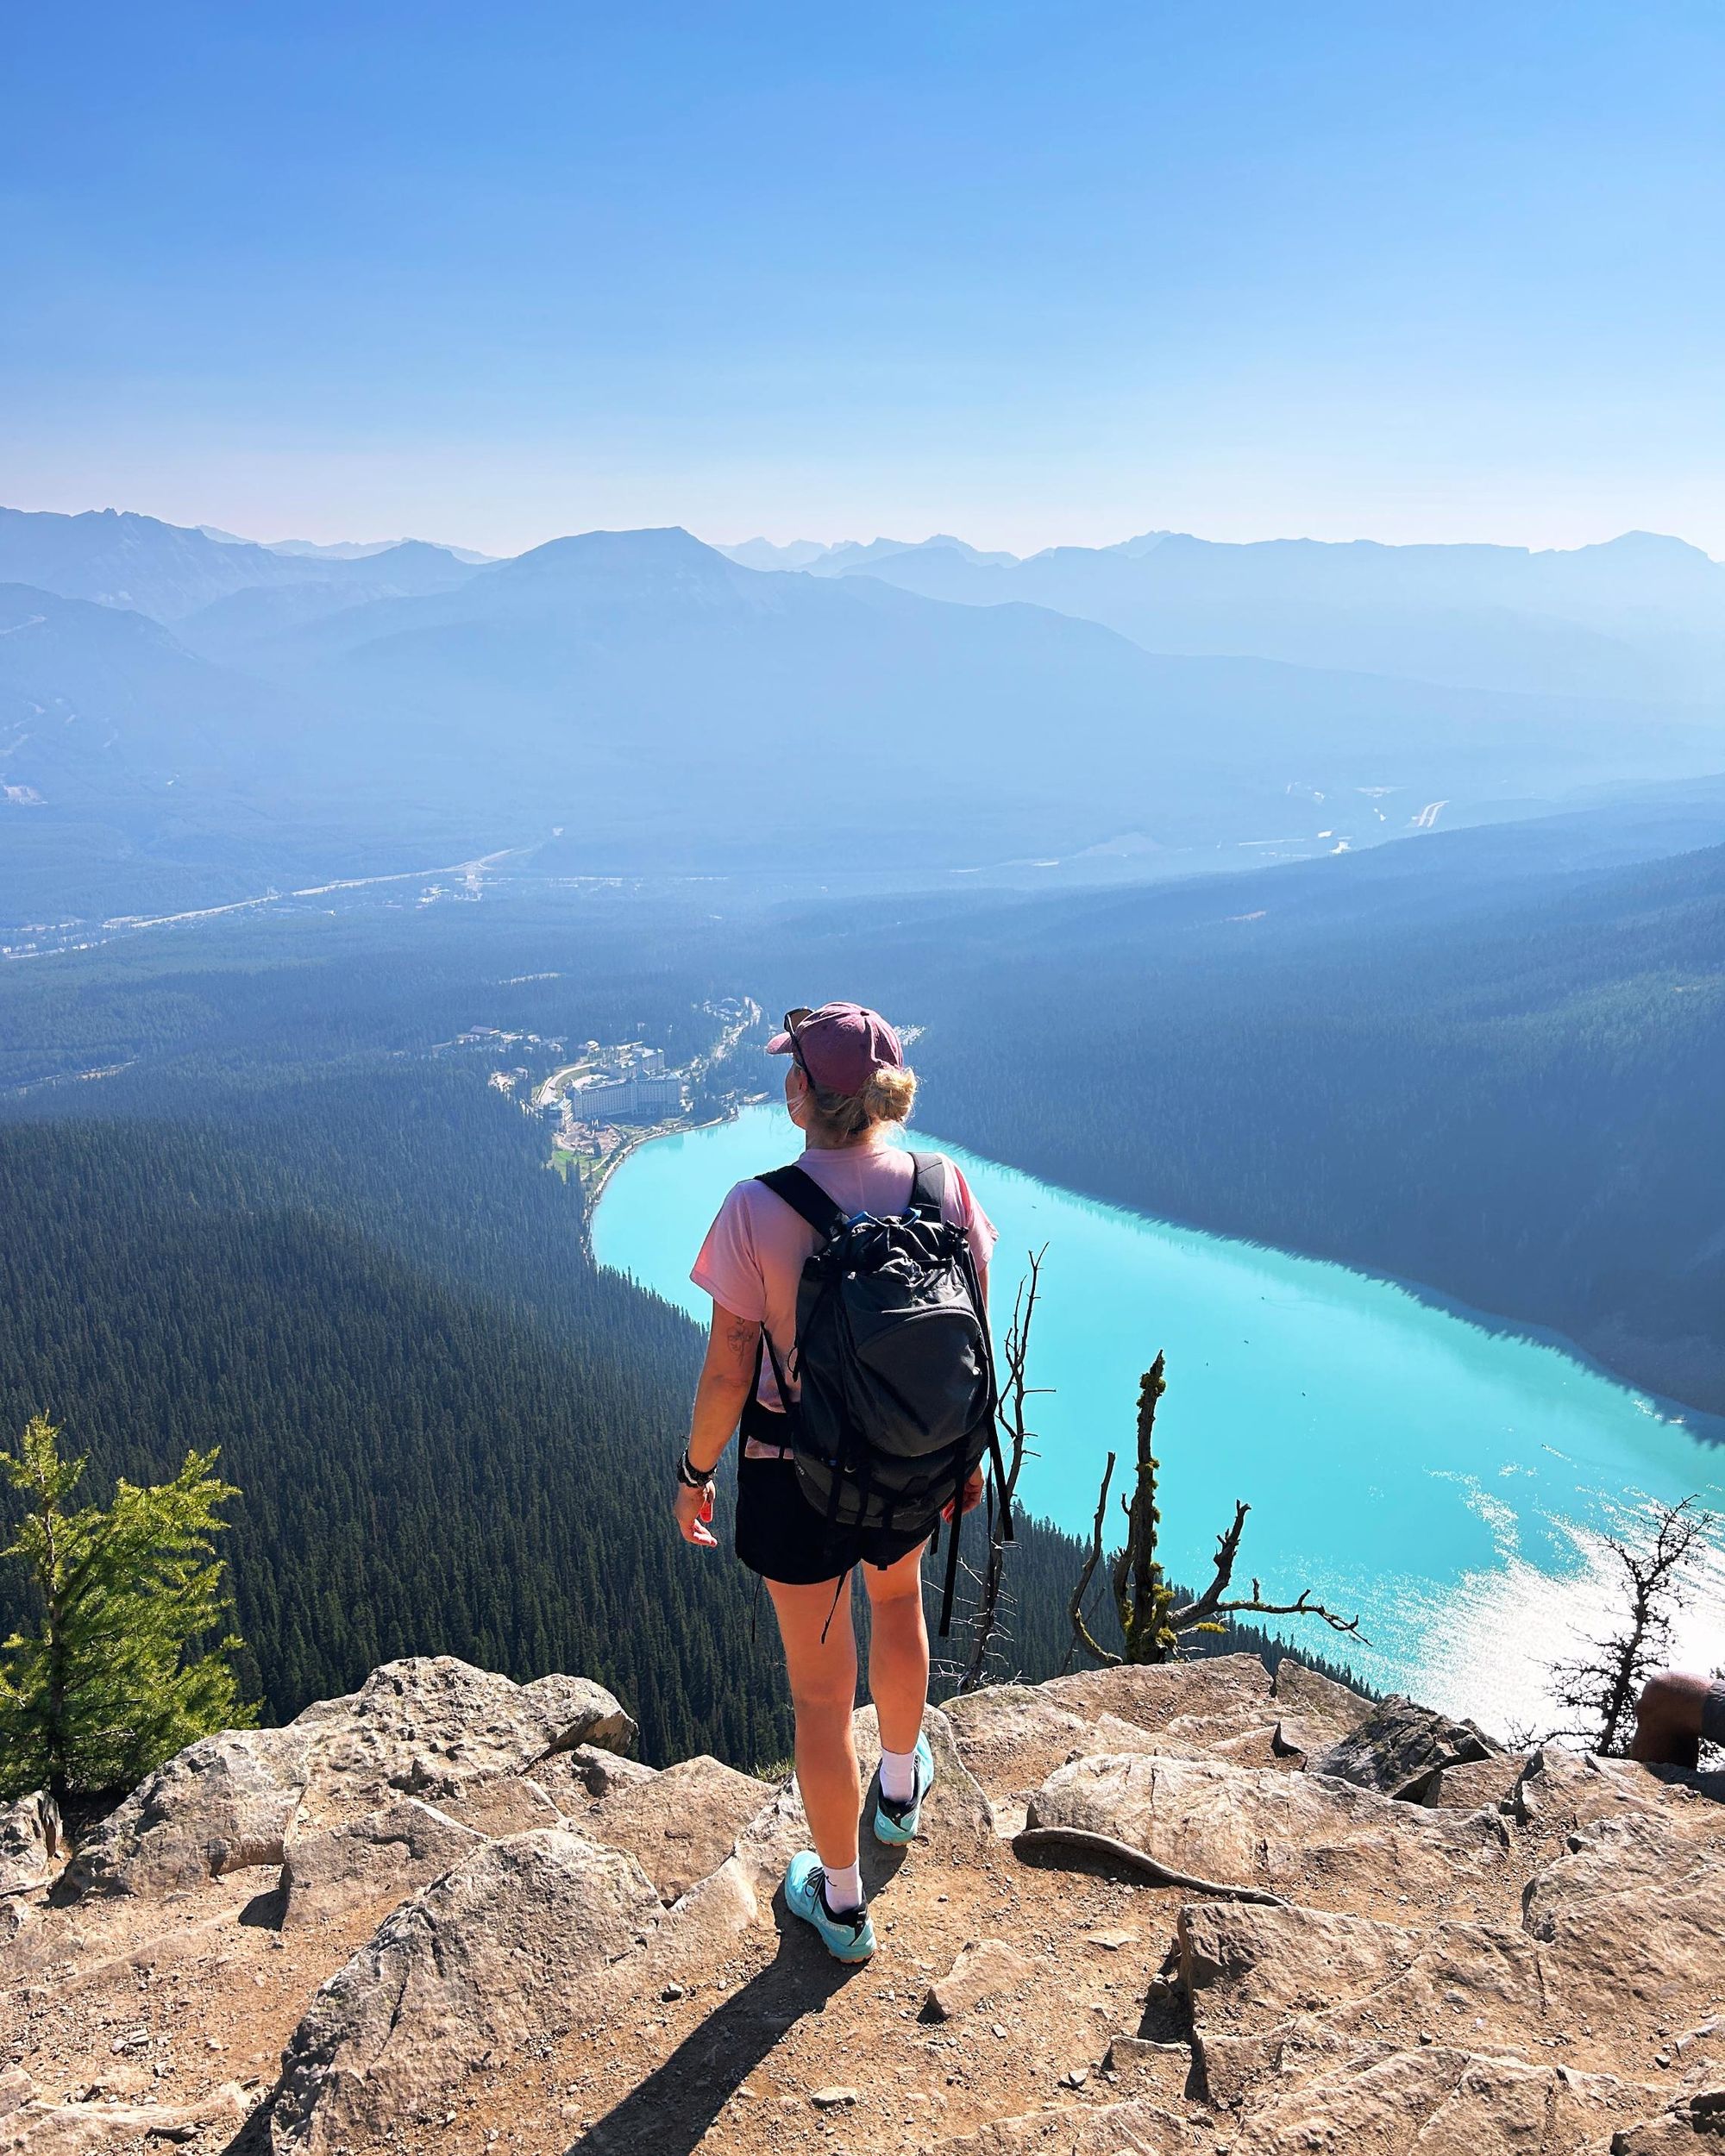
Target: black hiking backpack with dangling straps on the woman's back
(894,1362)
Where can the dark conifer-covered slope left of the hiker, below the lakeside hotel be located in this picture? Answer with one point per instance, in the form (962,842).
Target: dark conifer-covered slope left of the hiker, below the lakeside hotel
(422,1465)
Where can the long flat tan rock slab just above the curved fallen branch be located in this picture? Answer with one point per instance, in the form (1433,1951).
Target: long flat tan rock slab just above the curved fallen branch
(1258,1827)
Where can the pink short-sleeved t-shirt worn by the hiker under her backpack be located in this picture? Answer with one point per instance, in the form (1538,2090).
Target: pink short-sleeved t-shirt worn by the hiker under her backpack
(756,1249)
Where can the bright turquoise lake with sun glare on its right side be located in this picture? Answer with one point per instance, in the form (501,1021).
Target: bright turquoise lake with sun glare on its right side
(1448,1482)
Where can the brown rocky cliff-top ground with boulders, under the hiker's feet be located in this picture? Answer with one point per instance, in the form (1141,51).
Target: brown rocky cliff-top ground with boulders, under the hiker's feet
(450,1913)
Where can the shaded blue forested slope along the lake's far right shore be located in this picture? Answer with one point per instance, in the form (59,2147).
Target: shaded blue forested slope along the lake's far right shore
(1502,1086)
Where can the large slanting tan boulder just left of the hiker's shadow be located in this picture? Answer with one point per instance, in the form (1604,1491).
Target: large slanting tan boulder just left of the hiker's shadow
(499,1954)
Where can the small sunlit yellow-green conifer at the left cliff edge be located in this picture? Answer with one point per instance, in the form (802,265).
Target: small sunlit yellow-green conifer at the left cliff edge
(120,1672)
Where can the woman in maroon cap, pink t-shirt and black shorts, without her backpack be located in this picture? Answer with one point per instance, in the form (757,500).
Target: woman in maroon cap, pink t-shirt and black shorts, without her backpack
(848,1090)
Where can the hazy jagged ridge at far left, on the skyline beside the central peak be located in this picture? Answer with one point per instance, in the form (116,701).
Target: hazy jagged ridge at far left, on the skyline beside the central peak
(169,572)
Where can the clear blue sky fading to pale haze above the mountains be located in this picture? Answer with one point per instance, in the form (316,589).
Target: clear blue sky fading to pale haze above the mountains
(1030,273)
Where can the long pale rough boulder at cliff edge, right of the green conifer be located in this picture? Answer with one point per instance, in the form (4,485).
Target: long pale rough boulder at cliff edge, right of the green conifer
(426,1728)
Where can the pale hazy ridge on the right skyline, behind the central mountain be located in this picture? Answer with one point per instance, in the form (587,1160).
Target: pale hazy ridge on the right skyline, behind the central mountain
(1638,618)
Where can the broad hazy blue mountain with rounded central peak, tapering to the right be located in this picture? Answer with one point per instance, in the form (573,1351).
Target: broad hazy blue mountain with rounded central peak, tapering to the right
(641,687)
